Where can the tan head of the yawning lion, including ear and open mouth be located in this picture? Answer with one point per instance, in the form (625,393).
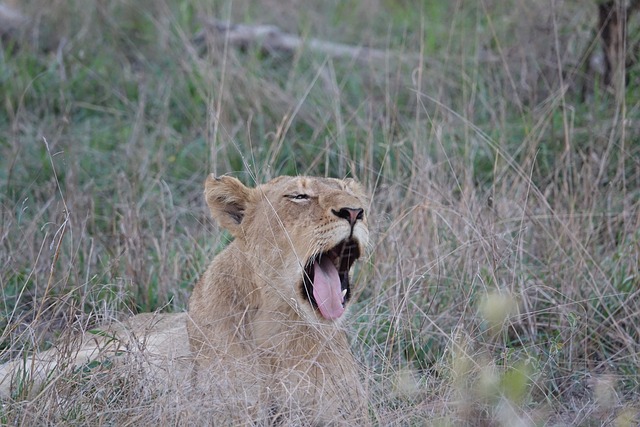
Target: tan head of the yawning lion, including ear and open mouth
(301,236)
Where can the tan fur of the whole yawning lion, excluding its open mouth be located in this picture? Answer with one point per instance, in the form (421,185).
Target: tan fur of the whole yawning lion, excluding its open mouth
(261,349)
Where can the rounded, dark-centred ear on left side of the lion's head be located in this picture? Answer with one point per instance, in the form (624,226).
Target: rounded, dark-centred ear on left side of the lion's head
(228,199)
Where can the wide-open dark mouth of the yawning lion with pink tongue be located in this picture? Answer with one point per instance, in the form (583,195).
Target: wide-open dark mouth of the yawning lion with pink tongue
(325,282)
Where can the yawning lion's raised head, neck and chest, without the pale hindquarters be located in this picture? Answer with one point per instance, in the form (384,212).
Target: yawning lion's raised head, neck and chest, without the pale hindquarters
(265,317)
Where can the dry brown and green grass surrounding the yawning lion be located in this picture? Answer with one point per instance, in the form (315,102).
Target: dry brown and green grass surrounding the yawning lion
(502,288)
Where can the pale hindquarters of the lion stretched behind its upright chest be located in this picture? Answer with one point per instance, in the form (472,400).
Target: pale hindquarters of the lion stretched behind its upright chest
(158,341)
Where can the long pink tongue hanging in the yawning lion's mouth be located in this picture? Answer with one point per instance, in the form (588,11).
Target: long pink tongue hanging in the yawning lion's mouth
(327,290)
